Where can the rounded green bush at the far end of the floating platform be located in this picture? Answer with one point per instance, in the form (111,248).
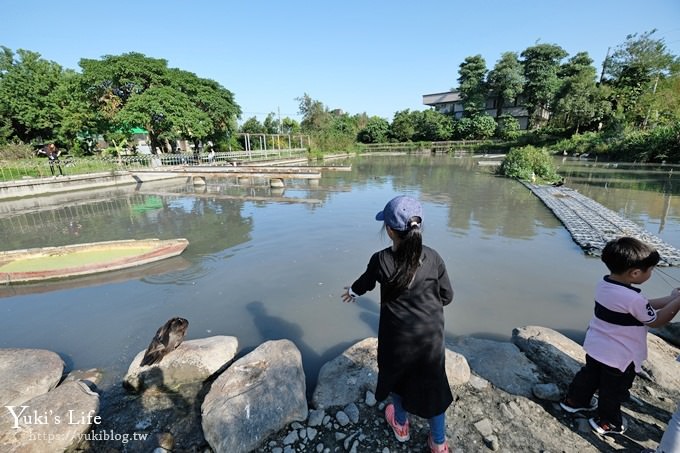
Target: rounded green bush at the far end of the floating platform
(528,162)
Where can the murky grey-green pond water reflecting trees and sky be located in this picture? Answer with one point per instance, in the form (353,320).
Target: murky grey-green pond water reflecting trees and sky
(265,264)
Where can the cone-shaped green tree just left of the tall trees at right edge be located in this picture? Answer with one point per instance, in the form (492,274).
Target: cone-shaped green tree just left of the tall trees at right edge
(580,101)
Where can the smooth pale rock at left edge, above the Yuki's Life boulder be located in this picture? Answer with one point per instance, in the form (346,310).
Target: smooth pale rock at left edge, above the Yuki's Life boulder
(27,373)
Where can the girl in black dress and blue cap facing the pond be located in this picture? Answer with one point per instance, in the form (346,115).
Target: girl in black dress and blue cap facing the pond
(414,288)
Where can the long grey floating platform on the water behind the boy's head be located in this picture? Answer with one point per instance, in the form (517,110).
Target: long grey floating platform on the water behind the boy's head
(592,225)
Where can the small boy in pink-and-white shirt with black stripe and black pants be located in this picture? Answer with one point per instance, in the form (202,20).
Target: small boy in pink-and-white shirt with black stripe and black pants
(616,339)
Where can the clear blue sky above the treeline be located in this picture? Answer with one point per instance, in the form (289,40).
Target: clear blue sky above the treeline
(370,56)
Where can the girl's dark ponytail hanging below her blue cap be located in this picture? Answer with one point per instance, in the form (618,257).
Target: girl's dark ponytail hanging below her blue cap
(407,255)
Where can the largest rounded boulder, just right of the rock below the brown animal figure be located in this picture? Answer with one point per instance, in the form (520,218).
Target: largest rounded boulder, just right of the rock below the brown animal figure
(256,396)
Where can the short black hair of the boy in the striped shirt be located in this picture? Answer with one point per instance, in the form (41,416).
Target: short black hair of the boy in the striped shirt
(624,253)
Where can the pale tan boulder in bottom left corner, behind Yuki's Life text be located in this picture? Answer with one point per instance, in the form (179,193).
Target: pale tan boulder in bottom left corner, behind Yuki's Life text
(54,421)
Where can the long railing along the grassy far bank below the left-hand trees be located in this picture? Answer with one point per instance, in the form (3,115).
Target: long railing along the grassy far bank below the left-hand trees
(67,165)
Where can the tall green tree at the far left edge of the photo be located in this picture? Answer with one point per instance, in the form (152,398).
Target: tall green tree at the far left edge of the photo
(28,102)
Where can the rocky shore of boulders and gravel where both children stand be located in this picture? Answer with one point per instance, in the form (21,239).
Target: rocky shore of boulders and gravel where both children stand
(204,397)
